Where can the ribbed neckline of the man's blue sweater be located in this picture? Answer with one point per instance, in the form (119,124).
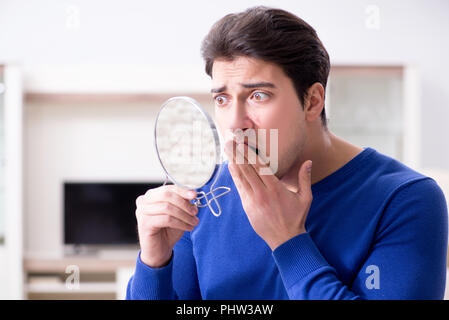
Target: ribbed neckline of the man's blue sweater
(343,172)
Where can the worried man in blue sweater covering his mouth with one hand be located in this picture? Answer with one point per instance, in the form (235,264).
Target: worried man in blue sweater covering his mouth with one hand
(333,221)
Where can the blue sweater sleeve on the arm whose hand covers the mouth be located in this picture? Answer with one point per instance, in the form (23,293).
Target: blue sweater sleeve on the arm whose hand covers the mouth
(407,259)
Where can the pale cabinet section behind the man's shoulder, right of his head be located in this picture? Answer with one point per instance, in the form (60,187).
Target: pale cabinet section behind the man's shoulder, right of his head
(378,107)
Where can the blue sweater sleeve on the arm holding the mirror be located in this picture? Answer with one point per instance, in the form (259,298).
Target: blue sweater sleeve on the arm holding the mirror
(177,280)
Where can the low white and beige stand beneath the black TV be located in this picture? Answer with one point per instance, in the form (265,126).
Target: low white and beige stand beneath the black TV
(100,276)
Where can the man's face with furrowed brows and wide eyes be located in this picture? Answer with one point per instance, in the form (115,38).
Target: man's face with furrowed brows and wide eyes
(253,94)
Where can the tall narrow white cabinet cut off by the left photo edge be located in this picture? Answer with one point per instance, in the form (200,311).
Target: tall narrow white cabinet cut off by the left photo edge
(11,271)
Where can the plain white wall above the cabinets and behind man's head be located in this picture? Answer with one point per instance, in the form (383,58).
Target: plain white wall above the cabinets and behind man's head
(165,36)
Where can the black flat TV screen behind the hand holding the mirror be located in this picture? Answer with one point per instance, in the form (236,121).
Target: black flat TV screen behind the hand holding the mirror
(102,213)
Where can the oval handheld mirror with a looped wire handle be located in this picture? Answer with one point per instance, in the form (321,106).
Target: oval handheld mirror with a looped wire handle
(189,149)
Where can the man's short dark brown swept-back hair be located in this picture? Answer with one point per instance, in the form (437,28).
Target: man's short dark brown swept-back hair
(275,36)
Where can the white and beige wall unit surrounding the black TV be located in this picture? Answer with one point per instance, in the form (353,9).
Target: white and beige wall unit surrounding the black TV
(63,127)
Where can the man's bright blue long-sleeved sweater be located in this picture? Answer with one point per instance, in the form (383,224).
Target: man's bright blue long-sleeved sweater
(376,230)
